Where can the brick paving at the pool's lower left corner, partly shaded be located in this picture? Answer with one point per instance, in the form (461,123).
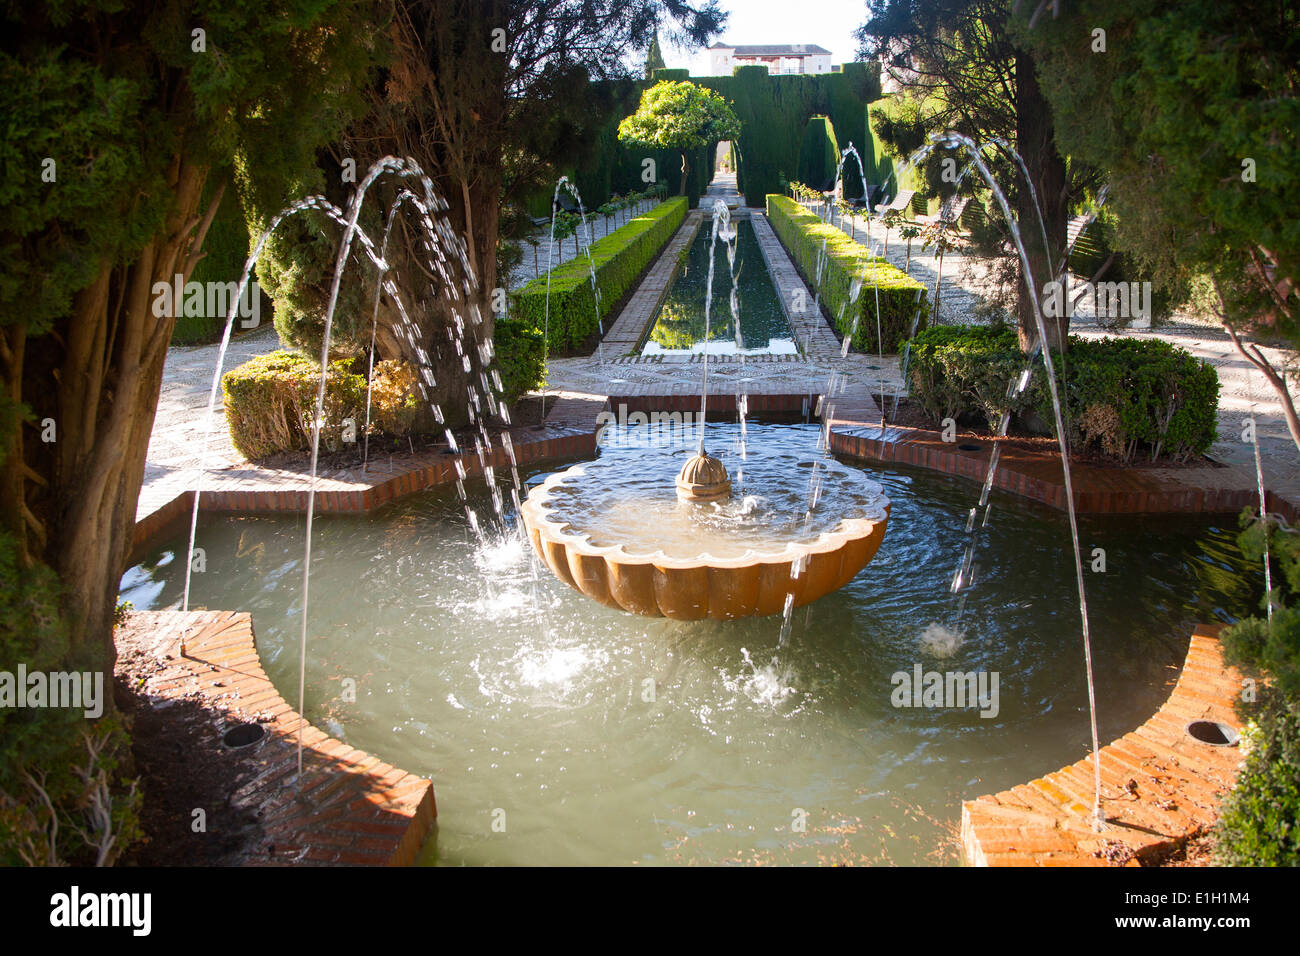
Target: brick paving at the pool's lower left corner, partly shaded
(349,808)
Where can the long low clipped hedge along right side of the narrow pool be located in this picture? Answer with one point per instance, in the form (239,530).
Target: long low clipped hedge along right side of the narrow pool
(848,265)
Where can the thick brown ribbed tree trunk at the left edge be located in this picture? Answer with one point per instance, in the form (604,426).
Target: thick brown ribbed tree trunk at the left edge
(93,384)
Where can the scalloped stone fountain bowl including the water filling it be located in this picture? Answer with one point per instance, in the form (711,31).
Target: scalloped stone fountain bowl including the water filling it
(617,531)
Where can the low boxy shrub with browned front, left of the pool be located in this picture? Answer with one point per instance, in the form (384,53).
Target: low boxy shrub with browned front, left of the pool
(271,403)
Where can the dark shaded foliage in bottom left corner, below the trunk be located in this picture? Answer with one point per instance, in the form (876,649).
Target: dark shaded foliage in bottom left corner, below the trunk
(45,747)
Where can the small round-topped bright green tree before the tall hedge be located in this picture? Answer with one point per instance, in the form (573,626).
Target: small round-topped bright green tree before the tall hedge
(681,116)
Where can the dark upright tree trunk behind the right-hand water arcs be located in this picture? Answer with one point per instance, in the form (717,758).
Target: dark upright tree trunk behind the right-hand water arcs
(1037,144)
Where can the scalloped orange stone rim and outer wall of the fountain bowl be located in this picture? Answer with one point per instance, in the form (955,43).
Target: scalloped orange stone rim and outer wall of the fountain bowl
(656,585)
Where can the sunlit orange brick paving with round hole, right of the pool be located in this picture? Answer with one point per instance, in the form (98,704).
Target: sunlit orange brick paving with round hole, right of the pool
(1160,786)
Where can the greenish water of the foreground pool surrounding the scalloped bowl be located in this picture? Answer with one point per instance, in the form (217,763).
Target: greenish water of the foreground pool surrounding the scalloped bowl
(597,737)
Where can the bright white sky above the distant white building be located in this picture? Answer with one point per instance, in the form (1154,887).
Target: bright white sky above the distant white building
(829,24)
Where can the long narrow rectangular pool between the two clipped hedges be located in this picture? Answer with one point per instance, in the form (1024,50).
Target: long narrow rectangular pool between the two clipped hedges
(679,328)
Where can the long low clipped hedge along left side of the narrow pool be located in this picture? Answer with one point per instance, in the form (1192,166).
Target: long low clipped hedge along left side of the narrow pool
(618,261)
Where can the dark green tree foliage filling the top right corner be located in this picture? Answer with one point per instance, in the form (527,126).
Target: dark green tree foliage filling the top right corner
(1217,88)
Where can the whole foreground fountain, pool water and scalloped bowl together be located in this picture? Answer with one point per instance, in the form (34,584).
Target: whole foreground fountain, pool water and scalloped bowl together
(470,657)
